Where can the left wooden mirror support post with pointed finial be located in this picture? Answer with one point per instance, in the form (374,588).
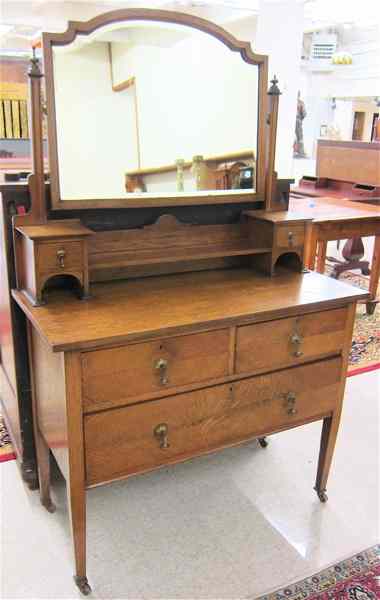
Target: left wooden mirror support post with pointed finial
(36,180)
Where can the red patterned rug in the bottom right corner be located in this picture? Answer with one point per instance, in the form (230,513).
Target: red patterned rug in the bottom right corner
(357,578)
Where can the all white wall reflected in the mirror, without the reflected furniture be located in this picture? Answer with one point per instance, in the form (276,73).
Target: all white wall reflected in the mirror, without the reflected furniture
(196,97)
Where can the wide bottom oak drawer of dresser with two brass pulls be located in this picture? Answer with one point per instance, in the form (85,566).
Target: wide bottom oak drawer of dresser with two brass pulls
(137,438)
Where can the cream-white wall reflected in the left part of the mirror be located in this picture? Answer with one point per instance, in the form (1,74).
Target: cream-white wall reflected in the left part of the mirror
(95,133)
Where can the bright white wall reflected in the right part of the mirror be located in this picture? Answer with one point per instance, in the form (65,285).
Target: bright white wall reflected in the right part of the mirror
(196,97)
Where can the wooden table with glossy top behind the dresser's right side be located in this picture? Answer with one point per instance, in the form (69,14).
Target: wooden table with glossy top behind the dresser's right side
(338,219)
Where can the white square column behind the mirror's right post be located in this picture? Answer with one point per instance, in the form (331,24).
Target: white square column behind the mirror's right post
(280,34)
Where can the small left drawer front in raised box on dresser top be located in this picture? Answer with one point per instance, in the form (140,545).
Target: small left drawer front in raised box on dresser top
(48,256)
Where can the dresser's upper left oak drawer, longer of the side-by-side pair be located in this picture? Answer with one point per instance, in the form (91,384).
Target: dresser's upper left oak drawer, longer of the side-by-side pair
(116,376)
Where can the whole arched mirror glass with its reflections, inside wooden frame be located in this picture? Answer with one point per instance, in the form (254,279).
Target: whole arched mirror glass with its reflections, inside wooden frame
(153,108)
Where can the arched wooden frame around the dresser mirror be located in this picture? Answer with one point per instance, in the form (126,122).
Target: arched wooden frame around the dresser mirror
(87,27)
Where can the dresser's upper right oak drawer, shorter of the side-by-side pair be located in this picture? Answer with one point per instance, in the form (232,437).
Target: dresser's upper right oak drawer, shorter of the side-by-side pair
(274,344)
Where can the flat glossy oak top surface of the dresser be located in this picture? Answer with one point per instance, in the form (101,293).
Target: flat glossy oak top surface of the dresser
(139,309)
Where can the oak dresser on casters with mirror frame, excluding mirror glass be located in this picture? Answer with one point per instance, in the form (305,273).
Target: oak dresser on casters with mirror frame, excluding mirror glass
(209,353)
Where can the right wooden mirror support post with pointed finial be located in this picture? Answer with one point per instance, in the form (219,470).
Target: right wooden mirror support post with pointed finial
(270,173)
